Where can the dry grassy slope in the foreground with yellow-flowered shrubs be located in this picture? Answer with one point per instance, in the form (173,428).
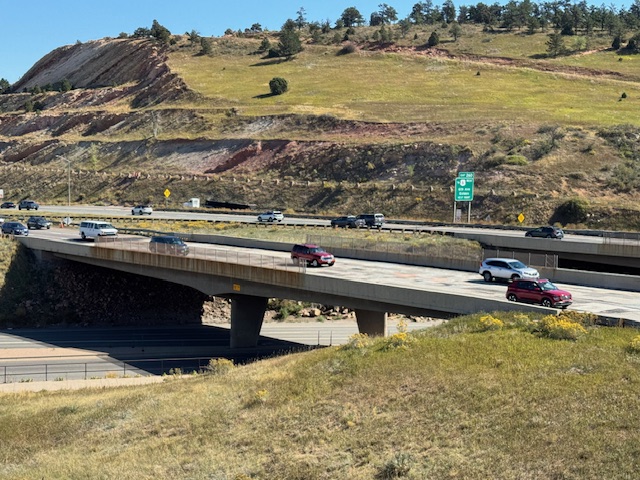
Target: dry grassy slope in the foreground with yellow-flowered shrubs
(470,400)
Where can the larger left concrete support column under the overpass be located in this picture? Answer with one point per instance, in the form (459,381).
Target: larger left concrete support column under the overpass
(247,314)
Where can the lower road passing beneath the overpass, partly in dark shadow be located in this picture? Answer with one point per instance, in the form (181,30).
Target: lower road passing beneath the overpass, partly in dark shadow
(55,354)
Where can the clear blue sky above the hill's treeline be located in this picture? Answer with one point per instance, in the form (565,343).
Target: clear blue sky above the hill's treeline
(30,31)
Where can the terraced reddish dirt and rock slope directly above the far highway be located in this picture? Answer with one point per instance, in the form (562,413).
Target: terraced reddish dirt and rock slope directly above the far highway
(132,128)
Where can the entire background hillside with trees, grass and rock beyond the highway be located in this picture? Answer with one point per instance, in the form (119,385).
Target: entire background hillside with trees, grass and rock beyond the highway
(370,111)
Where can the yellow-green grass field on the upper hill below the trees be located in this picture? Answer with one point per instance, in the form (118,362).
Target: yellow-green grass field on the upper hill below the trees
(413,87)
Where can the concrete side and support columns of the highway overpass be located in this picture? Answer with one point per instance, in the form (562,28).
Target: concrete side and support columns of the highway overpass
(249,280)
